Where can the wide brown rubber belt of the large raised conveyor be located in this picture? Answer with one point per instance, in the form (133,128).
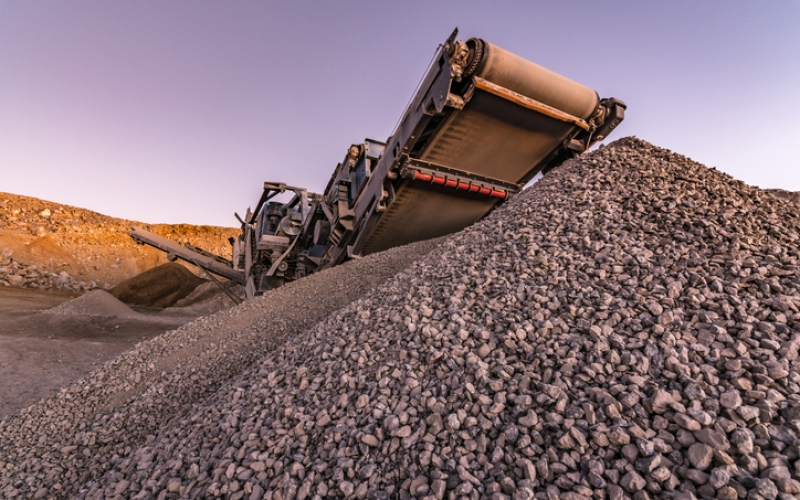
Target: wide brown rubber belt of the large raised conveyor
(491,137)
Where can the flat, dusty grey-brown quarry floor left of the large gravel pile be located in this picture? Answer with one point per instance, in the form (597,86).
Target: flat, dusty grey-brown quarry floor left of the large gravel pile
(41,353)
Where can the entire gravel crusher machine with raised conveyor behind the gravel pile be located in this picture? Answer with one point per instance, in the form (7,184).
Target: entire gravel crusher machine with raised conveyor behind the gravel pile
(482,124)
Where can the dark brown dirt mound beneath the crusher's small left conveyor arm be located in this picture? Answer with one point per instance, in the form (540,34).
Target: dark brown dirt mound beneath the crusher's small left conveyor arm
(160,287)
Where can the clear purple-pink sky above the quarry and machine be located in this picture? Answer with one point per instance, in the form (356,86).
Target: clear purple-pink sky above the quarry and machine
(178,111)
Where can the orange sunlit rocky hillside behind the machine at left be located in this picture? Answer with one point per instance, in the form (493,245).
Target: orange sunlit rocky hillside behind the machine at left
(53,246)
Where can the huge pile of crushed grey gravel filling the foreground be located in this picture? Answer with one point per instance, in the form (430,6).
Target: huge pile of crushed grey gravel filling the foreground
(626,328)
